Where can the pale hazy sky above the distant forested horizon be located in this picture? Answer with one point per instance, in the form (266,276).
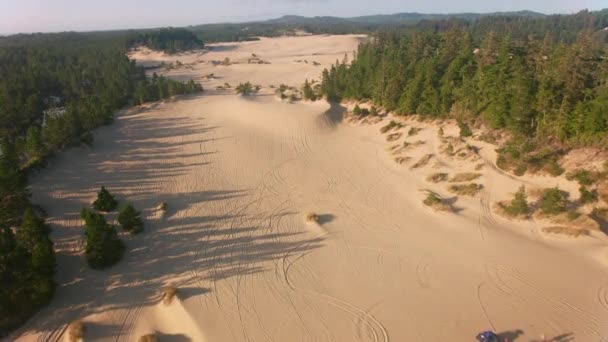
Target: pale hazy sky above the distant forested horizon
(18,16)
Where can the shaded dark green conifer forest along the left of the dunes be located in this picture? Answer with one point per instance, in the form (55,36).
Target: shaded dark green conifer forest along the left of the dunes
(54,90)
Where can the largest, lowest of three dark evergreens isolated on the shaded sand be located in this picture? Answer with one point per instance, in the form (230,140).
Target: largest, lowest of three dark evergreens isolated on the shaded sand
(103,247)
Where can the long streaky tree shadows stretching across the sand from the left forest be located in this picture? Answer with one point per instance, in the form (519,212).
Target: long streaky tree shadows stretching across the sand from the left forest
(203,237)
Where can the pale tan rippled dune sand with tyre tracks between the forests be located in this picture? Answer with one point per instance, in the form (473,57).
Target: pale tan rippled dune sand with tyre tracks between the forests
(239,174)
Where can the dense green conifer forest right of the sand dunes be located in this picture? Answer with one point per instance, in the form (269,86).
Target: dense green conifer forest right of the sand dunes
(548,88)
